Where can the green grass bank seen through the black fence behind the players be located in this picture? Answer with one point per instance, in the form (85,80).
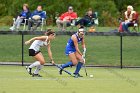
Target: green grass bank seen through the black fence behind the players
(101,50)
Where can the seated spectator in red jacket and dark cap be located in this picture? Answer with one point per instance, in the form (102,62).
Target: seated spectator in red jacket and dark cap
(66,18)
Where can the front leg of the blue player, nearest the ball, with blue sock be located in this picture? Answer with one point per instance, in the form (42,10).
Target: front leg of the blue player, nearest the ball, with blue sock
(79,65)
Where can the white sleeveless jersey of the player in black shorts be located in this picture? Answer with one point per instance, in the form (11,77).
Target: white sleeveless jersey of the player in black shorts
(39,43)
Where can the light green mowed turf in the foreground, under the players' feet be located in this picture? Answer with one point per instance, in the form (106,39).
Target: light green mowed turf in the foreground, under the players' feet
(15,79)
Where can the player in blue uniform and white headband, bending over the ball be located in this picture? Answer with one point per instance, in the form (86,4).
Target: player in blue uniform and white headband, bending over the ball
(73,52)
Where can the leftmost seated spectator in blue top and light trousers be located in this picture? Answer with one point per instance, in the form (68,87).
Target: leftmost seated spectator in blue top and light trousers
(25,14)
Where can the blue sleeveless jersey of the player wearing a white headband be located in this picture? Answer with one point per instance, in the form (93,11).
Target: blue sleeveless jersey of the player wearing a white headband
(70,47)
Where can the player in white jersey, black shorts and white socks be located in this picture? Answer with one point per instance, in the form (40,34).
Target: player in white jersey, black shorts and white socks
(35,52)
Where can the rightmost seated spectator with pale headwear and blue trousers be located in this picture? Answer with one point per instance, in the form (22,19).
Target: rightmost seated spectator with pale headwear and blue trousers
(129,19)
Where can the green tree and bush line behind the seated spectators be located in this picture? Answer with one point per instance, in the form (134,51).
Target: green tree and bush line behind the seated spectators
(108,10)
